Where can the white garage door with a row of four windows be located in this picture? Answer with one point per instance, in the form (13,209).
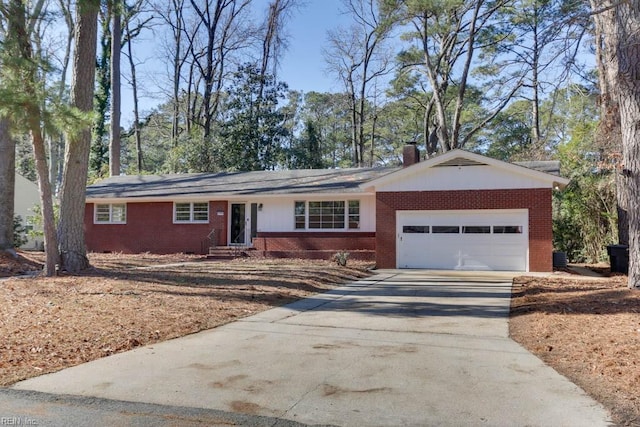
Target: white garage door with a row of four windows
(463,240)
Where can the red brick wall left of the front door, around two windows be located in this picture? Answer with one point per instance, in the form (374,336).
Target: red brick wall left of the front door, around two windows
(150,228)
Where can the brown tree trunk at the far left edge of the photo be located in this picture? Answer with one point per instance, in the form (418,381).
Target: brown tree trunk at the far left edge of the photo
(7,185)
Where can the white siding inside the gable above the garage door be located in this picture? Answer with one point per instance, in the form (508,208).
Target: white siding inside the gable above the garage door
(462,178)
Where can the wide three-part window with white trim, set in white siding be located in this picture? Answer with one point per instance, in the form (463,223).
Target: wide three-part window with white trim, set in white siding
(327,215)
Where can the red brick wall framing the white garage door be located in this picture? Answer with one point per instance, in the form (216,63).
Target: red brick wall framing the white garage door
(537,201)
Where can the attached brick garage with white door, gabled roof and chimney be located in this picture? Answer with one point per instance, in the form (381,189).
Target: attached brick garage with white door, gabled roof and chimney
(464,211)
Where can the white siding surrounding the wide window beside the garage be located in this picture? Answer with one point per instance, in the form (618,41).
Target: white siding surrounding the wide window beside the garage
(277,213)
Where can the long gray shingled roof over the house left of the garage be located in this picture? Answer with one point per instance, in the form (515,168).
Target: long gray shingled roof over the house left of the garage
(235,183)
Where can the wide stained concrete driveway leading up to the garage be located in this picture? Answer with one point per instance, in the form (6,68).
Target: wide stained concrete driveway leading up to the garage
(400,348)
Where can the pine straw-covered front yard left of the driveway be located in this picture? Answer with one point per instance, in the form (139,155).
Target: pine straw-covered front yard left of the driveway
(127,301)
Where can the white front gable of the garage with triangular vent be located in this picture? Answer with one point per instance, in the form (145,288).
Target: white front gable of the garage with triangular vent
(463,170)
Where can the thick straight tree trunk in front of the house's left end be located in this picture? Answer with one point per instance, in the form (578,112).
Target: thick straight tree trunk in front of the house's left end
(72,195)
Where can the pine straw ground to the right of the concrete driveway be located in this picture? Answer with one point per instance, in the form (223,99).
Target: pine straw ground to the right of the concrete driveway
(589,331)
